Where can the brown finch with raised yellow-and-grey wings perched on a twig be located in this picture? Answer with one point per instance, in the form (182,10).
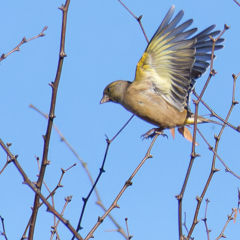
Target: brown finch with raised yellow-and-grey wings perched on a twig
(166,75)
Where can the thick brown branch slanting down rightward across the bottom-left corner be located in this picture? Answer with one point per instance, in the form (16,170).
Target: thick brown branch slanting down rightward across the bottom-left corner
(36,190)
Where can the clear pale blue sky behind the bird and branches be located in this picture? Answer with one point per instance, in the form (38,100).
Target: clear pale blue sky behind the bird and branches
(104,43)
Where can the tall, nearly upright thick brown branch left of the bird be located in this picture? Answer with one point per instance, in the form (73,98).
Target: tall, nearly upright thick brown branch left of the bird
(47,136)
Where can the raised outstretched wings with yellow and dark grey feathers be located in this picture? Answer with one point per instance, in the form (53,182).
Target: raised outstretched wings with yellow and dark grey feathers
(172,61)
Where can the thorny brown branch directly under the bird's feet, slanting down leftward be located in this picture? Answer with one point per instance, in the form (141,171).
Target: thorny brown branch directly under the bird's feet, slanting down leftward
(127,184)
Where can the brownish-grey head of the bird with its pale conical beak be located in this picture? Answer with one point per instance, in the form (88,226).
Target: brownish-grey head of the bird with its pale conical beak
(114,92)
